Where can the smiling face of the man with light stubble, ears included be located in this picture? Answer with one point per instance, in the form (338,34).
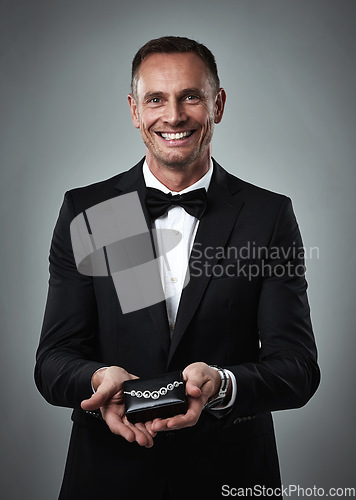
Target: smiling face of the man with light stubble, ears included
(175,108)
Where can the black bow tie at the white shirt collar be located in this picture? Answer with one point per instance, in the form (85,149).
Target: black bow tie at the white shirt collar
(193,202)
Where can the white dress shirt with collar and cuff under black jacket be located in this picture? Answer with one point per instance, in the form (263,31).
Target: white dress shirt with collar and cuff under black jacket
(173,264)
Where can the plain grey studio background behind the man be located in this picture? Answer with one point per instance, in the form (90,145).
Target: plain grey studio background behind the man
(288,67)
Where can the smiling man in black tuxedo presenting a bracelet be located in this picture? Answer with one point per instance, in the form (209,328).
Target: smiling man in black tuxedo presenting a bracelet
(244,310)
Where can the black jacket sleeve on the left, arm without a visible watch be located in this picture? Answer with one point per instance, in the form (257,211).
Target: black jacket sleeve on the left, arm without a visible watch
(66,356)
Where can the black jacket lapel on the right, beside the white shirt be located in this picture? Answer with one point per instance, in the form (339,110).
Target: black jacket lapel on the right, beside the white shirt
(214,230)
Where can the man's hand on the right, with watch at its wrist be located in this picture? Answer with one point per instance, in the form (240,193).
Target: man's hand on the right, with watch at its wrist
(202,383)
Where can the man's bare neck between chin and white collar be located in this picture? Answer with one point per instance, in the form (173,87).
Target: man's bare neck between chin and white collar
(178,179)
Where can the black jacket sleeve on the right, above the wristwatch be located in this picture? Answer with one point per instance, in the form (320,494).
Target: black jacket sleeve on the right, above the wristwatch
(286,374)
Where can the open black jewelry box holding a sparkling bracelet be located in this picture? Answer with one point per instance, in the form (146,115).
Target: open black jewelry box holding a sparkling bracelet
(159,397)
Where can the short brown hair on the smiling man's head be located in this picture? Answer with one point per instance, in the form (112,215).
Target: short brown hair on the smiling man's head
(170,45)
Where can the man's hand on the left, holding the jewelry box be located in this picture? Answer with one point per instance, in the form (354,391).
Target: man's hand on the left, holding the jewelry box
(109,397)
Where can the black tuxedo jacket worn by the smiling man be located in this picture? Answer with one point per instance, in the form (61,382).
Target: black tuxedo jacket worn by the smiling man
(245,308)
